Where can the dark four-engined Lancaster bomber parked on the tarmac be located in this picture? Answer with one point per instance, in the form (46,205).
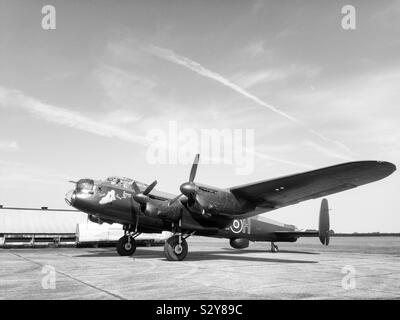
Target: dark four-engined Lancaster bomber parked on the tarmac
(214,212)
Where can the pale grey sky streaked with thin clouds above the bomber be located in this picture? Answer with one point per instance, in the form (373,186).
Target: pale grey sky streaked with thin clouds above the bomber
(79,101)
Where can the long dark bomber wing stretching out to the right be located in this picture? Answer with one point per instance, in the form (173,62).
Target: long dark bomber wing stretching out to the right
(281,192)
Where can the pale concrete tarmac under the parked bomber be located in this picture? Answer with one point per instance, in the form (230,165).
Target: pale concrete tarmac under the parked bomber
(350,268)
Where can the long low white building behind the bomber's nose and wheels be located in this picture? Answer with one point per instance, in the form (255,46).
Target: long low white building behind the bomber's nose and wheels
(40,227)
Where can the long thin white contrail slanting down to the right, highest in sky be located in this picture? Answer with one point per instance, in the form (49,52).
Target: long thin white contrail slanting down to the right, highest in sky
(173,57)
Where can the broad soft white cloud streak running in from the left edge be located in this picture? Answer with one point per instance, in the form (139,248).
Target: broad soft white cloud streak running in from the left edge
(65,117)
